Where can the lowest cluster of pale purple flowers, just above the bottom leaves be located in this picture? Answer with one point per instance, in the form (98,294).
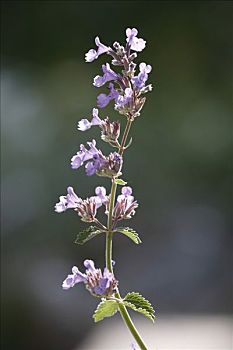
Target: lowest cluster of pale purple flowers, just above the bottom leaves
(98,283)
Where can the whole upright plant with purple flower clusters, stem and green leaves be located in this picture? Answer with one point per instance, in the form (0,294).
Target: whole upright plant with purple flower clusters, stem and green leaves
(126,84)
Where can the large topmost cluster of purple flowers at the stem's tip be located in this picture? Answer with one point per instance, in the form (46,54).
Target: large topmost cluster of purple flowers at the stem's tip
(125,89)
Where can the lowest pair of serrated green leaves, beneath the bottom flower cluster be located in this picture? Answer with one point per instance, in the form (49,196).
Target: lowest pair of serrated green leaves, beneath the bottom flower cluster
(135,301)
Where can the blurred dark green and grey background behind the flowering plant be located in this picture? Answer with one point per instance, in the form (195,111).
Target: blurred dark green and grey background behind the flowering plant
(179,166)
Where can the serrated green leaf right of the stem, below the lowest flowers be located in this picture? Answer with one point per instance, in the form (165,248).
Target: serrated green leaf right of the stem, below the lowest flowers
(138,303)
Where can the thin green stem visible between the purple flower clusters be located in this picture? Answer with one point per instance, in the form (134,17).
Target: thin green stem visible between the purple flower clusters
(108,251)
